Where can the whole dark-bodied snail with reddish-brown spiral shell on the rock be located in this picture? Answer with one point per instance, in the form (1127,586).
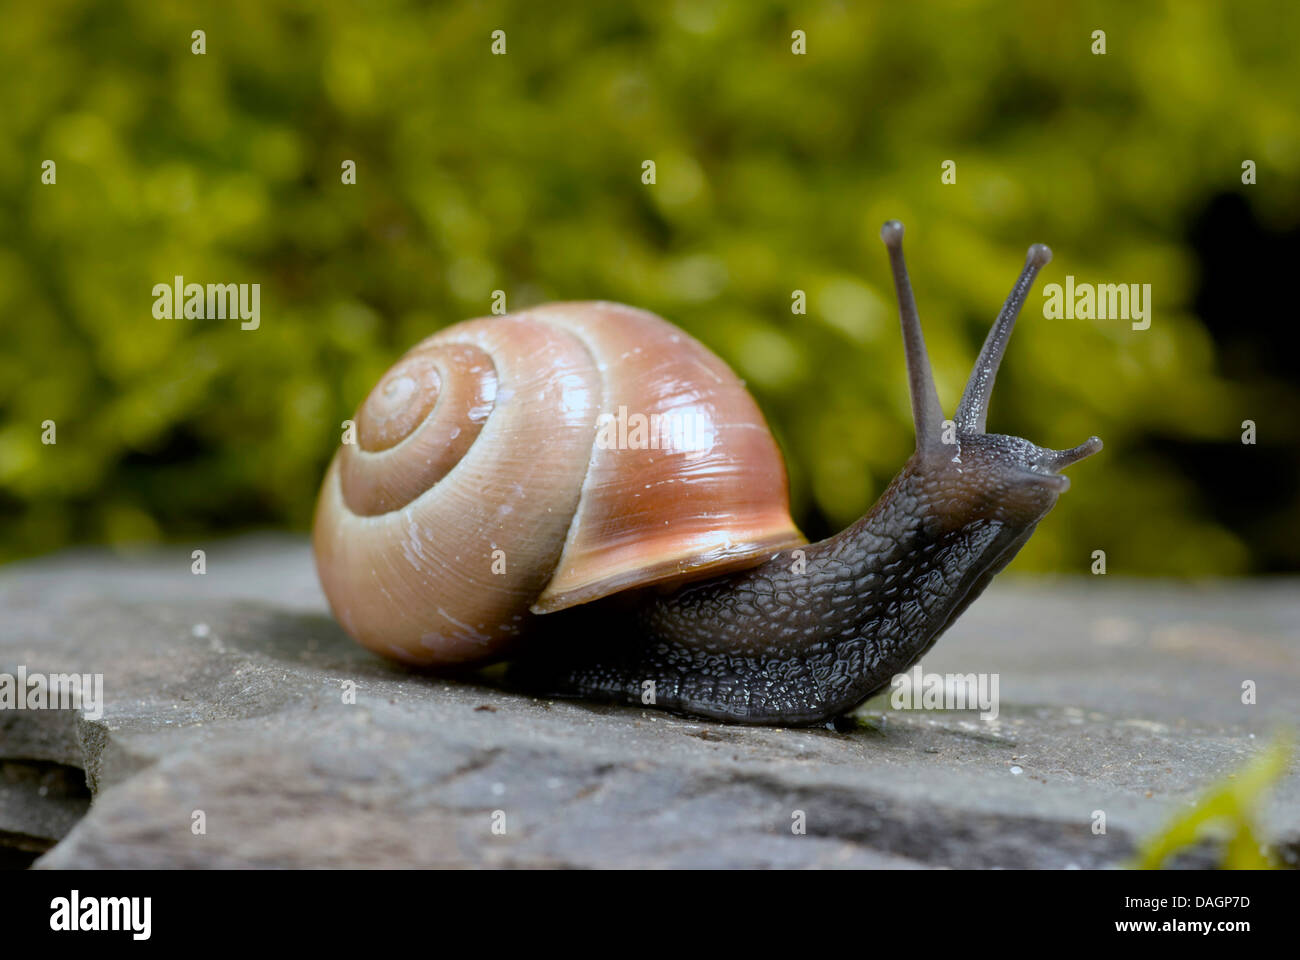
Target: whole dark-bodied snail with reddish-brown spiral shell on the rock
(501,503)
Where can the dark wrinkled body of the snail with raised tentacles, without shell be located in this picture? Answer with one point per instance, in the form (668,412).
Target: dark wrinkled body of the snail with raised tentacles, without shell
(778,647)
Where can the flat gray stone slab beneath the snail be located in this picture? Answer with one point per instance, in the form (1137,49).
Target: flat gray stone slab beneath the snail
(226,694)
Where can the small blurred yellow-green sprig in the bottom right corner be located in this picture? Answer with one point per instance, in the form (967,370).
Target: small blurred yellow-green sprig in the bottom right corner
(1227,815)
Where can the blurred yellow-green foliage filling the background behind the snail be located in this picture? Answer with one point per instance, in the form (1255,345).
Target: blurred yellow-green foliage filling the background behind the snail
(523,172)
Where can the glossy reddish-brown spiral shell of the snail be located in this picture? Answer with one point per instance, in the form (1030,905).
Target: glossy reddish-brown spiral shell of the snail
(483,488)
